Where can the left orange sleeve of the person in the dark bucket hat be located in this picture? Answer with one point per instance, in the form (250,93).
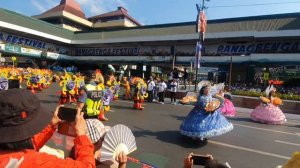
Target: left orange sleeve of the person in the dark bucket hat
(40,139)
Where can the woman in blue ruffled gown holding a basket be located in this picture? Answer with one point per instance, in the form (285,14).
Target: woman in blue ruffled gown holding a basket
(205,120)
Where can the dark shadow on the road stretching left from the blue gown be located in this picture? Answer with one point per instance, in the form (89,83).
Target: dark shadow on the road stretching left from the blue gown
(173,137)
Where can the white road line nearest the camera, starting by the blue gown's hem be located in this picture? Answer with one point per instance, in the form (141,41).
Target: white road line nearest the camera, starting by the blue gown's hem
(250,150)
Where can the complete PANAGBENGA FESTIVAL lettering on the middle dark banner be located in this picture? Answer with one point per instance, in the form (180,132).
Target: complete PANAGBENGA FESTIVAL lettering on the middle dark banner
(134,51)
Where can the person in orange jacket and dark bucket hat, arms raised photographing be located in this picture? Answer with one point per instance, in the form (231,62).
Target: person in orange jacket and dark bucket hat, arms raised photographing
(22,121)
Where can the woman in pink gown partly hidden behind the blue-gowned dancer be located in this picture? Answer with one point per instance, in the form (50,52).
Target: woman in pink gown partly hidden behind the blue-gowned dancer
(228,109)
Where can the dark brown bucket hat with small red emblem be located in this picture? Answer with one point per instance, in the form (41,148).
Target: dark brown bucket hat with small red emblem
(21,115)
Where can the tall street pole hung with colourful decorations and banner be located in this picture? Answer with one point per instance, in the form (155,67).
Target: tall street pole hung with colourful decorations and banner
(201,32)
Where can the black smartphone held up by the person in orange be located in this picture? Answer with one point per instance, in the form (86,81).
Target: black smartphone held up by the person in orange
(67,112)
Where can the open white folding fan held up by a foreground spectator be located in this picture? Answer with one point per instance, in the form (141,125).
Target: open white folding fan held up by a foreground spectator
(118,139)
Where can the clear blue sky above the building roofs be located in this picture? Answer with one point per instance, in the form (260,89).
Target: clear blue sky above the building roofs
(162,11)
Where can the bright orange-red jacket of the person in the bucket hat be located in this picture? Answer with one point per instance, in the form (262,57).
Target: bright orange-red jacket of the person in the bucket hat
(84,153)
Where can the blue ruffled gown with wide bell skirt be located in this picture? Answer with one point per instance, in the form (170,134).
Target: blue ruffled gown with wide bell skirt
(200,124)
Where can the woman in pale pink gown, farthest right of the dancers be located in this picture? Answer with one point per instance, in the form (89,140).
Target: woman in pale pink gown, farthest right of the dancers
(268,111)
